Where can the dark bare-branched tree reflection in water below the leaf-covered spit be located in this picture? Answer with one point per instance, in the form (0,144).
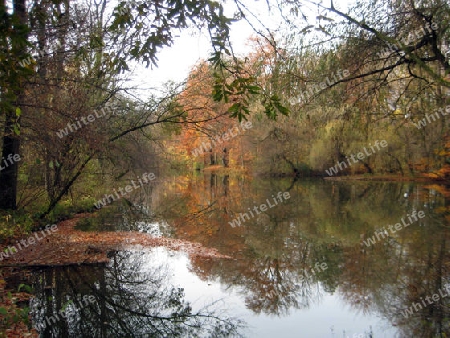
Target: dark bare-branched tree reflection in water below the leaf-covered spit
(132,299)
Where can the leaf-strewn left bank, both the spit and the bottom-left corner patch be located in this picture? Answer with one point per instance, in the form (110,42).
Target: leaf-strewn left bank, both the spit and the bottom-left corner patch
(64,246)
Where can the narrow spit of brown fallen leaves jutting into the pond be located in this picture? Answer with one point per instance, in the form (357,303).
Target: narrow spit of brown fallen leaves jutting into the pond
(68,246)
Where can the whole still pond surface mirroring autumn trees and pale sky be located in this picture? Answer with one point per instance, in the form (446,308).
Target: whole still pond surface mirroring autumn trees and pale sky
(299,269)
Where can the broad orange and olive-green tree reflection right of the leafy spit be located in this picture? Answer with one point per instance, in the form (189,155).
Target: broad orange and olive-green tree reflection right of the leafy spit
(323,222)
